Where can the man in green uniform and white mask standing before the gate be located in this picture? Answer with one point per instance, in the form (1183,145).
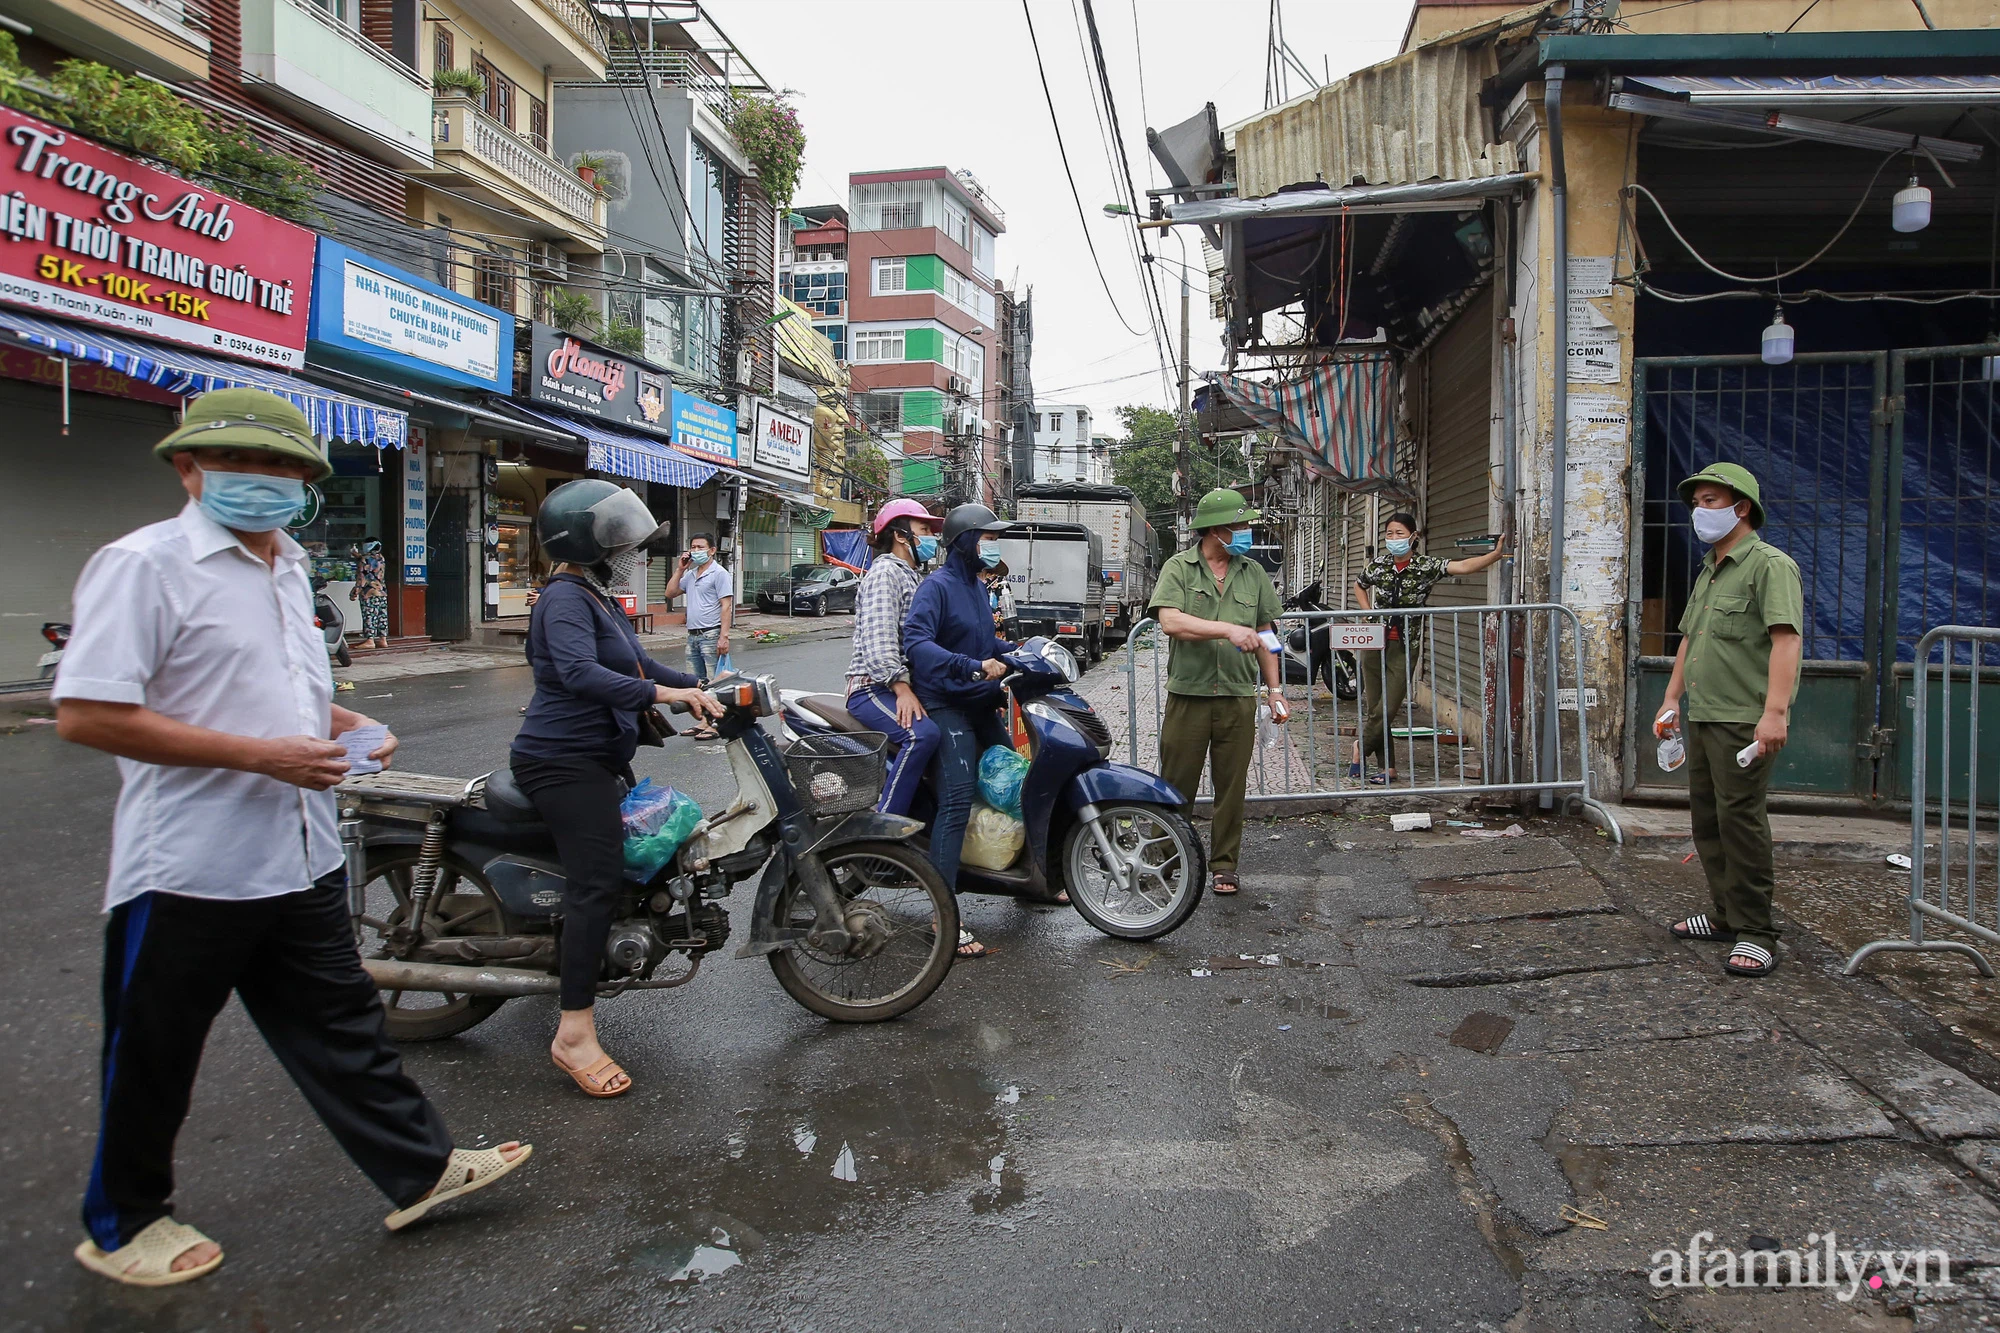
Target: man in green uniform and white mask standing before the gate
(1735,680)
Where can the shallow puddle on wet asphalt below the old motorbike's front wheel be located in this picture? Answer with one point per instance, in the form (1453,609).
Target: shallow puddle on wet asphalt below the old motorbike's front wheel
(823,1162)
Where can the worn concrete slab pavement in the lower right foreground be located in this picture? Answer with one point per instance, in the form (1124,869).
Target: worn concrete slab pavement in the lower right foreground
(1677,1100)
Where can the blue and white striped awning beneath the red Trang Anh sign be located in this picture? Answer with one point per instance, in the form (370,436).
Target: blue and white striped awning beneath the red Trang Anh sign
(189,373)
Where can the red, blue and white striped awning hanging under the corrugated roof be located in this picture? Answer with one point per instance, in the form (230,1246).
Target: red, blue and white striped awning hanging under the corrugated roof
(1343,415)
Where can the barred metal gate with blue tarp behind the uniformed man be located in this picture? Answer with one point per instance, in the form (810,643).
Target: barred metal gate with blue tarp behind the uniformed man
(1879,481)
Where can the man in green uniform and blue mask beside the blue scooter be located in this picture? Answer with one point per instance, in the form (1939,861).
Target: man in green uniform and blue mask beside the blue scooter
(1213,599)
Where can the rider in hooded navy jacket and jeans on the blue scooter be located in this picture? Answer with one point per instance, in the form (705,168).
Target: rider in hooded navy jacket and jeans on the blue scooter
(955,670)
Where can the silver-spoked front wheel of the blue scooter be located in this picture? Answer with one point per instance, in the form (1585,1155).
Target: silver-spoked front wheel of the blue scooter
(1153,880)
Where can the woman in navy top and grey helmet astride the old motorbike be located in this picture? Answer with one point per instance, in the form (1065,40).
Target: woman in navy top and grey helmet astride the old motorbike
(573,756)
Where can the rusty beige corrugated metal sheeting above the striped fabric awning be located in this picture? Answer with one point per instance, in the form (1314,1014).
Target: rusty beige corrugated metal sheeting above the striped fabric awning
(1397,123)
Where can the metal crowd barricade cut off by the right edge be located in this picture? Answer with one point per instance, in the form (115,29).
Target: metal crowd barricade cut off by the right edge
(1953,896)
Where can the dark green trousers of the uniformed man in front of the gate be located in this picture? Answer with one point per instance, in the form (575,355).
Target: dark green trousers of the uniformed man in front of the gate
(1733,828)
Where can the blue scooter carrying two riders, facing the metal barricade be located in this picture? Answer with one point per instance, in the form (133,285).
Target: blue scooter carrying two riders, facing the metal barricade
(1109,834)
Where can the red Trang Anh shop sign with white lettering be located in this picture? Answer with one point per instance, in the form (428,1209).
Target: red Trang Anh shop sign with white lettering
(95,237)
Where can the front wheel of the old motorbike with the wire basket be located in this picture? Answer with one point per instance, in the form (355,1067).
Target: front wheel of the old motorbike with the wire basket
(905,898)
